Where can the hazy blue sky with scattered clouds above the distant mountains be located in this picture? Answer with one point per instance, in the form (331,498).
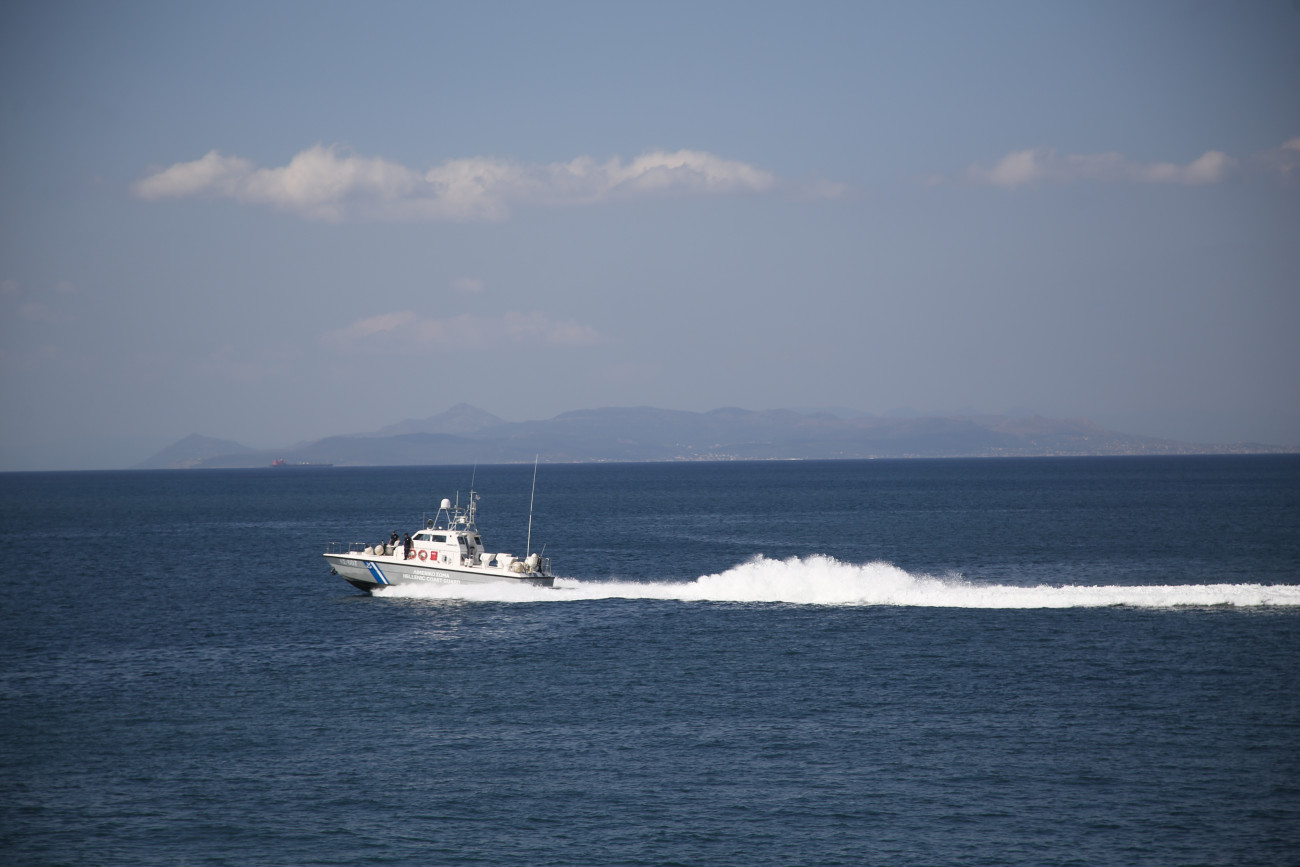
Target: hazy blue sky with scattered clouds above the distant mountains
(279,222)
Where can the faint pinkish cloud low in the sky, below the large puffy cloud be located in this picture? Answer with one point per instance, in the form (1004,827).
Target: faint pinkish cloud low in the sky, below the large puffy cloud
(411,333)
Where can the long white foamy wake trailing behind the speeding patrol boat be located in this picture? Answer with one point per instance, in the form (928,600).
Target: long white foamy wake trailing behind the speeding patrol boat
(824,580)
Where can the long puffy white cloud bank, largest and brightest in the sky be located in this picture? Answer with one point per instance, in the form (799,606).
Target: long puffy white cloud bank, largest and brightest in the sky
(332,184)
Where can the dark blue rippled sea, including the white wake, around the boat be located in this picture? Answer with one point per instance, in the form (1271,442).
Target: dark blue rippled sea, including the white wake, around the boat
(915,662)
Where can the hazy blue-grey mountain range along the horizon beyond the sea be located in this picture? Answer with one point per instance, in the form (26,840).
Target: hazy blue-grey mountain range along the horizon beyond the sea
(466,435)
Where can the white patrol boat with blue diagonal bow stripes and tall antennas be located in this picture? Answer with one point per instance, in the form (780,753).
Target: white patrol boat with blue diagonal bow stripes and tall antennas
(448,550)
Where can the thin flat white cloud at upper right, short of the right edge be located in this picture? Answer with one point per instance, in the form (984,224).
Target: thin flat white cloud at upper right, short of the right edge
(1047,166)
